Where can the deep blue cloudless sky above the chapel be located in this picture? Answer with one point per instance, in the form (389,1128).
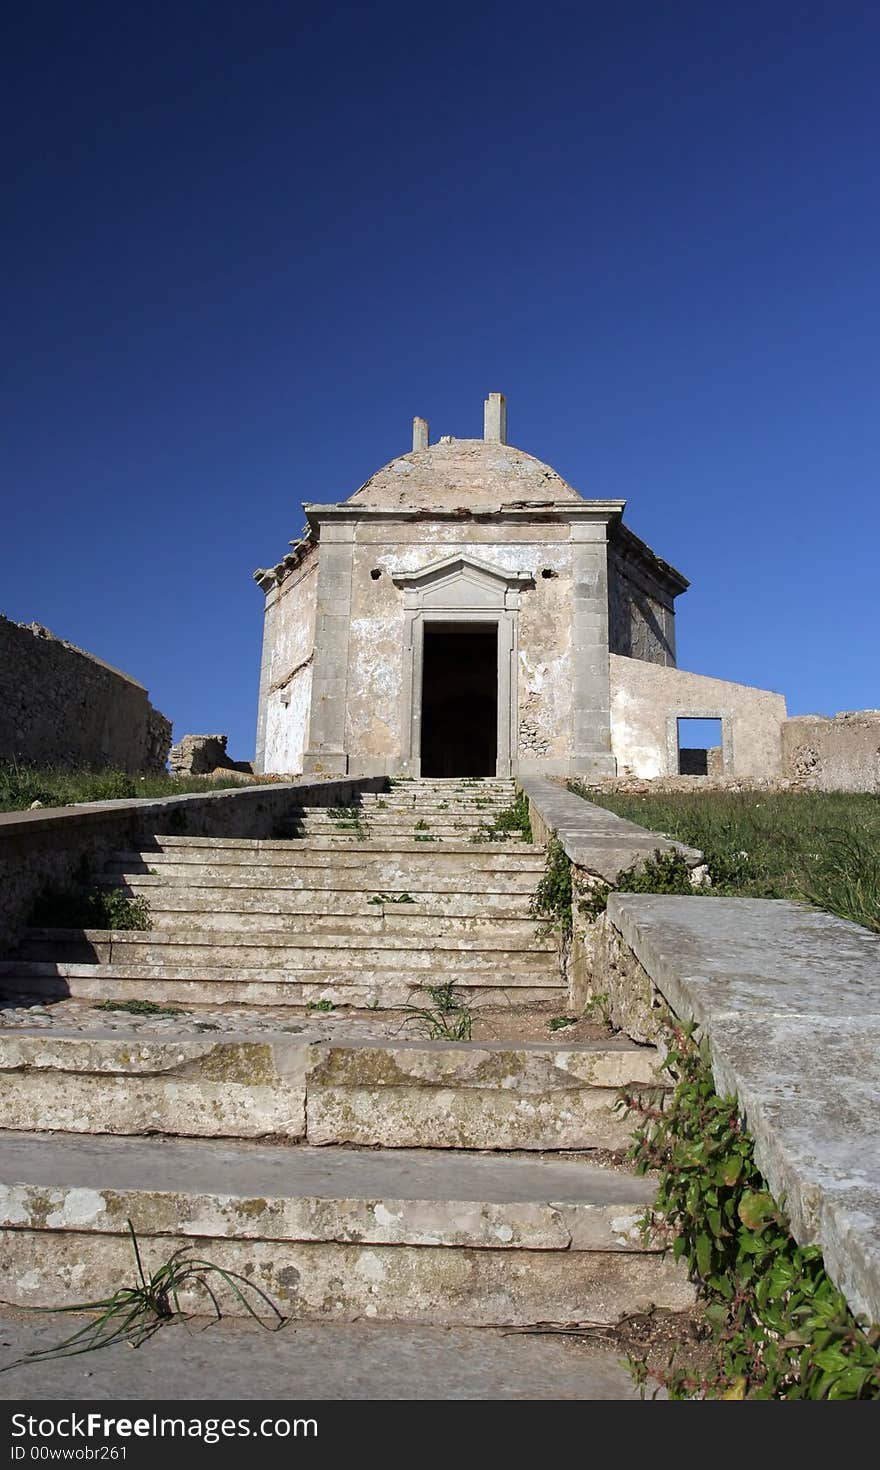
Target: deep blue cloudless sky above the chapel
(248,243)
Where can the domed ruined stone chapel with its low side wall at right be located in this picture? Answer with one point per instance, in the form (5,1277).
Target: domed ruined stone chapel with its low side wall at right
(469,614)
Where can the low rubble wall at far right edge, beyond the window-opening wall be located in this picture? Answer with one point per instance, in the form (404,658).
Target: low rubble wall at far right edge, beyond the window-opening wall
(834,755)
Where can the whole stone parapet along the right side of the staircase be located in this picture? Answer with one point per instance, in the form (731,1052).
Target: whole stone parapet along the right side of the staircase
(790,1002)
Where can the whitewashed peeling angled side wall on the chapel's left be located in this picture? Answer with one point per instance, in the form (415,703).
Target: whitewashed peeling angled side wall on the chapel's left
(286,677)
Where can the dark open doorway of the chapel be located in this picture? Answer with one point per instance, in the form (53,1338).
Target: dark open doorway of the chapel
(461,700)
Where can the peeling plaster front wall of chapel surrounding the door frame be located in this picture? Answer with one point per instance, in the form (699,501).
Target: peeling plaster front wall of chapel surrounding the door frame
(375,675)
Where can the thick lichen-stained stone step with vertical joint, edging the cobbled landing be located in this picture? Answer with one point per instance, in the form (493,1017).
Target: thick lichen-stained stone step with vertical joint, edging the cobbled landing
(394,1094)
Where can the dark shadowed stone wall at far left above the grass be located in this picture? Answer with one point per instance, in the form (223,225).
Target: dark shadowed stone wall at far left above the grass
(61,706)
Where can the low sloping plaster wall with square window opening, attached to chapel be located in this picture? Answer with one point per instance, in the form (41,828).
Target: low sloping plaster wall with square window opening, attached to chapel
(647,700)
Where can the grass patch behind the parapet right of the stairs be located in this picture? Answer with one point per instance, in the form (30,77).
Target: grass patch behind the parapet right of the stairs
(816,847)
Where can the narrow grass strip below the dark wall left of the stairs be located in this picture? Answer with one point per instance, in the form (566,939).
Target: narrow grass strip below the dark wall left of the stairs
(55,787)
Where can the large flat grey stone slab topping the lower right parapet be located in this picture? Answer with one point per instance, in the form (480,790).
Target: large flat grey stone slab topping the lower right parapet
(790,999)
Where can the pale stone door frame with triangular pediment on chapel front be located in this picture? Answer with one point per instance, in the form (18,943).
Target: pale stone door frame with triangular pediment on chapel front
(461,590)
